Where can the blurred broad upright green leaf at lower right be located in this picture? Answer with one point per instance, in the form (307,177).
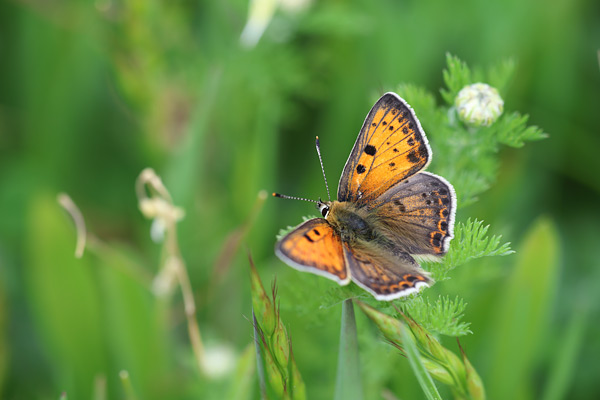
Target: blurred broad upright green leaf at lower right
(522,314)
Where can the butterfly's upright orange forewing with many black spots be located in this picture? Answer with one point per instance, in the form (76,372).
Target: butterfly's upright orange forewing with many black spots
(390,147)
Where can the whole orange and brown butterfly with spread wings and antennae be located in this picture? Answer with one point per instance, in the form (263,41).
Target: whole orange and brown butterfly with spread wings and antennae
(389,212)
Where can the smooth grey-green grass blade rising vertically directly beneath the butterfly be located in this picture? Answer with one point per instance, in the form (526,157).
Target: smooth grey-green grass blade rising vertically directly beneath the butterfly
(348,384)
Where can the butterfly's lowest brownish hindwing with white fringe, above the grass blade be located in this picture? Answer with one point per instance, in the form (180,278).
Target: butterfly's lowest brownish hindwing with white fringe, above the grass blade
(385,276)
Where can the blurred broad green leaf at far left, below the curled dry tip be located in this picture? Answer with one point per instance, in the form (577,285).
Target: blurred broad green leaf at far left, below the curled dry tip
(64,298)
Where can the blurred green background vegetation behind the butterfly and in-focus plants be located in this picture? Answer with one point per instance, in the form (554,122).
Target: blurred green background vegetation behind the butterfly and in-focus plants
(92,92)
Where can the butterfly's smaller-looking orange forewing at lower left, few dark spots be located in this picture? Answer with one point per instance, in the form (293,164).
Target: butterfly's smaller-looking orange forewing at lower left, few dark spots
(314,247)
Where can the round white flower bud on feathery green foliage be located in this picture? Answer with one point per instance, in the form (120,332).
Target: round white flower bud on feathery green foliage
(479,104)
